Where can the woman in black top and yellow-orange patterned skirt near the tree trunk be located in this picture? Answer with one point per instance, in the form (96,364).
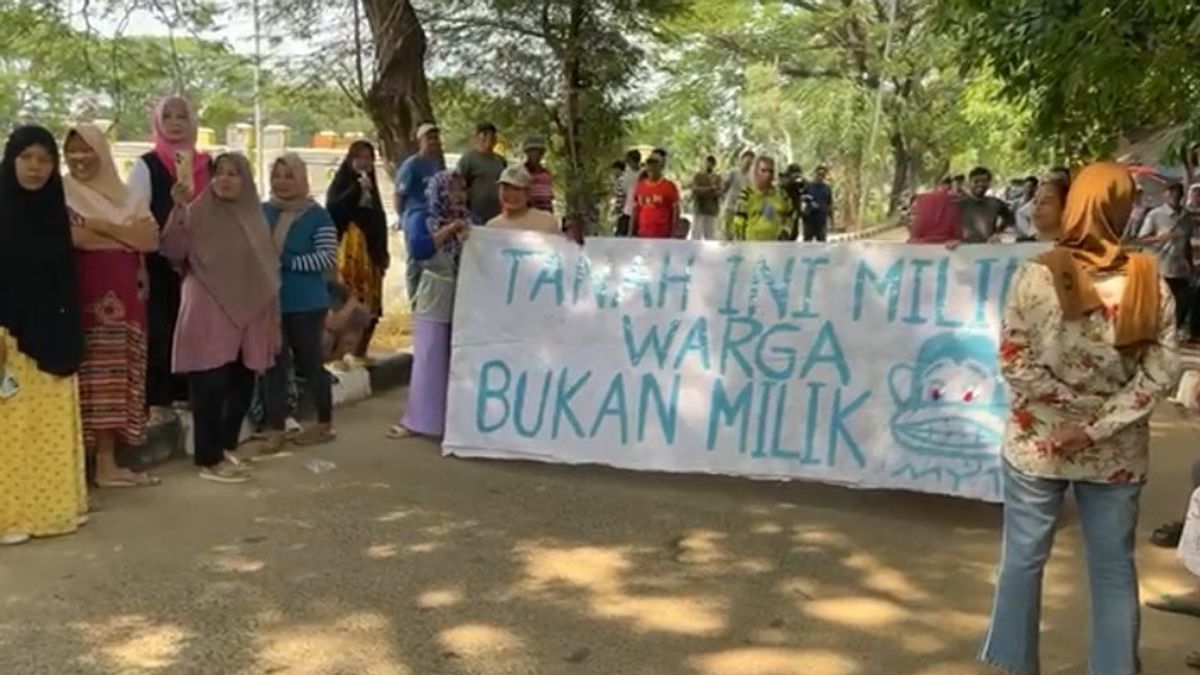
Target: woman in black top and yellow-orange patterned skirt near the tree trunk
(355,204)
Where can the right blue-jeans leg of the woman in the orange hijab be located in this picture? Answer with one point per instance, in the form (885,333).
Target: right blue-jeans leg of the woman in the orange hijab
(1109,519)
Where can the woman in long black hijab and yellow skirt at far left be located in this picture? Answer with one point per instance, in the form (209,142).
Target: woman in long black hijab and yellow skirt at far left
(43,486)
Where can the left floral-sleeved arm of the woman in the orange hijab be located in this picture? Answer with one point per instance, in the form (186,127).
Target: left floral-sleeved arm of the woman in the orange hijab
(1018,360)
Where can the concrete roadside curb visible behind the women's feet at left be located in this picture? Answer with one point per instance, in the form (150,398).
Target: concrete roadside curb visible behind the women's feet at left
(166,443)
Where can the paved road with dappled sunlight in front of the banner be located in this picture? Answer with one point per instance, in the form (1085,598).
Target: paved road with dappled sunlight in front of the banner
(403,563)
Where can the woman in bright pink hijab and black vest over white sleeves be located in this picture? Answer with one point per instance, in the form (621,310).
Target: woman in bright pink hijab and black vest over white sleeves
(173,162)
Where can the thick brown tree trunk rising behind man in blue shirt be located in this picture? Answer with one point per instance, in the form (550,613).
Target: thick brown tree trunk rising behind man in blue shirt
(398,100)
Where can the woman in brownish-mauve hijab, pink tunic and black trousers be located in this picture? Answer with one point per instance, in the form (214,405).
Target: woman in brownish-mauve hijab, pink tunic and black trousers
(230,313)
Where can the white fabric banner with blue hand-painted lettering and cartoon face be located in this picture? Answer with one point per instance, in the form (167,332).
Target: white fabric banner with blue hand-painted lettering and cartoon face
(865,365)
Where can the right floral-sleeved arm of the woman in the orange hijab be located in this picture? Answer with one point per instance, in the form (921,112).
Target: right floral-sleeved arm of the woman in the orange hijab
(1157,375)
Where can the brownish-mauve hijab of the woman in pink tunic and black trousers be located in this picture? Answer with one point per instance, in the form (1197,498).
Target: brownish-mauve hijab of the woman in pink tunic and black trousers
(233,254)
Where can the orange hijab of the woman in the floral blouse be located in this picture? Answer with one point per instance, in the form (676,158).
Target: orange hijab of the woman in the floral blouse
(1099,206)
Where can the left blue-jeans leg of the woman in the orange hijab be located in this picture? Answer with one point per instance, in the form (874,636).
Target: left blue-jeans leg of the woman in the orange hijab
(1031,517)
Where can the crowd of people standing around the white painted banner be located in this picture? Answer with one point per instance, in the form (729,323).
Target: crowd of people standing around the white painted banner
(121,302)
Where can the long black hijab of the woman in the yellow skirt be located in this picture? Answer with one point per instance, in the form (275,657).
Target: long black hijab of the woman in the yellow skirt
(39,303)
